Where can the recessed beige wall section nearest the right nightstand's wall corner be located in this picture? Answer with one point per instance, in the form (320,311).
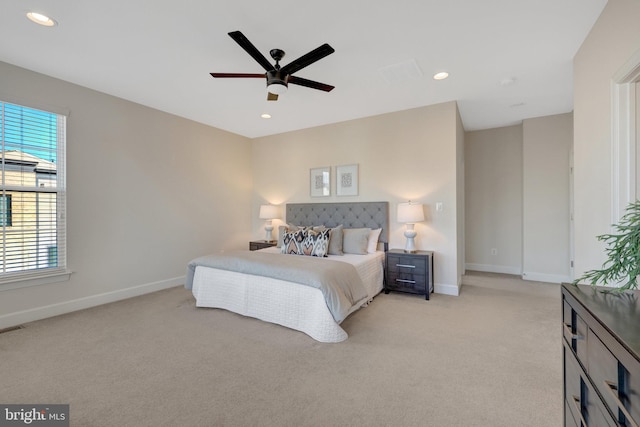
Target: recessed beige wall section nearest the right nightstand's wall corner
(493,166)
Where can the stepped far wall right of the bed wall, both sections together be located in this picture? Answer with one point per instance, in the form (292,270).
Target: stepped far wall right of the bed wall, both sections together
(518,199)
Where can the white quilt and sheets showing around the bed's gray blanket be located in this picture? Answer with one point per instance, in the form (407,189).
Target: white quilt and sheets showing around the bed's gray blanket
(295,306)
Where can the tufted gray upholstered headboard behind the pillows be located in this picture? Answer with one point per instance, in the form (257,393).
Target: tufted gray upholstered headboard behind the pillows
(351,215)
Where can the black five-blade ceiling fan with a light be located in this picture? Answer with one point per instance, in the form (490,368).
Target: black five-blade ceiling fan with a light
(278,78)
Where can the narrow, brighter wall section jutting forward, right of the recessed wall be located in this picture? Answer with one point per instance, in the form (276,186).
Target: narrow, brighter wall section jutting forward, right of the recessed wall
(546,194)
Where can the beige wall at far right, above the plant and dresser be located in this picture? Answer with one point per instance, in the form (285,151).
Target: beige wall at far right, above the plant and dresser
(614,38)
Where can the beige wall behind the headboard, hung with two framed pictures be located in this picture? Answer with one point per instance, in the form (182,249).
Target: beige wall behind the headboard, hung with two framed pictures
(405,155)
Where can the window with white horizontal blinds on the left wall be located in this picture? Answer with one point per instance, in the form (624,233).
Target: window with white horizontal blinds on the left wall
(32,193)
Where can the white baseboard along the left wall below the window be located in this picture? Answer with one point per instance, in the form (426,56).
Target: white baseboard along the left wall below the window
(25,316)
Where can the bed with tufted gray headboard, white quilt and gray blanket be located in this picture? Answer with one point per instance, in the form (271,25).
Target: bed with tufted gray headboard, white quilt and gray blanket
(279,298)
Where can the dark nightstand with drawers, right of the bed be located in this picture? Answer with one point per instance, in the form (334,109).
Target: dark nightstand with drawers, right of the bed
(409,272)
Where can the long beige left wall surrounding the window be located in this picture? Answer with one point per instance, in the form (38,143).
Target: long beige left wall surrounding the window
(147,192)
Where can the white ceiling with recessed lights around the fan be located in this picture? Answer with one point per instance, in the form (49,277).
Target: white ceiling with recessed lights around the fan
(508,59)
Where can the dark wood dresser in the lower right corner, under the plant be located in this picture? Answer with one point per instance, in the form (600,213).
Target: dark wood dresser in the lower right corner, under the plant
(601,363)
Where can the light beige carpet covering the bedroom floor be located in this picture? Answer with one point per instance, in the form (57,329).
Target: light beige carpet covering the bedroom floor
(489,357)
